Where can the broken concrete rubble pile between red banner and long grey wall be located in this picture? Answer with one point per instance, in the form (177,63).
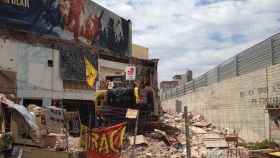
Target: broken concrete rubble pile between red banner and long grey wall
(206,141)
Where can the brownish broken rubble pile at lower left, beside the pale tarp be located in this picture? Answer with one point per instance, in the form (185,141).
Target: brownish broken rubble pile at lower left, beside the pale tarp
(51,133)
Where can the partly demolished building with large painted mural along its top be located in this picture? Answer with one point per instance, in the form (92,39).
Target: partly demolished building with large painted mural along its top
(43,46)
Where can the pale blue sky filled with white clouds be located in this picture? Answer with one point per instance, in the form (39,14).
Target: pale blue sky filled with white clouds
(197,34)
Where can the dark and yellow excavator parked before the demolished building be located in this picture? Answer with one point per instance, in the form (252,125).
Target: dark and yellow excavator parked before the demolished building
(113,100)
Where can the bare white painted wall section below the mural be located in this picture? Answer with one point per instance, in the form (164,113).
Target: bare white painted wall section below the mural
(34,78)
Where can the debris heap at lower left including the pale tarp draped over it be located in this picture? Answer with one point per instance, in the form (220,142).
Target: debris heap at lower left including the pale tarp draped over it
(47,130)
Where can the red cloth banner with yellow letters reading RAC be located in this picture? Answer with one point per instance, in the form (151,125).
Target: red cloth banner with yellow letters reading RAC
(106,142)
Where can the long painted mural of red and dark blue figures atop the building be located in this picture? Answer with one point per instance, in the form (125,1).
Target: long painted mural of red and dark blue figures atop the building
(79,20)
